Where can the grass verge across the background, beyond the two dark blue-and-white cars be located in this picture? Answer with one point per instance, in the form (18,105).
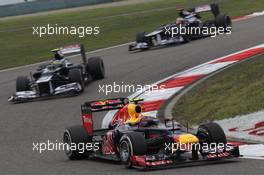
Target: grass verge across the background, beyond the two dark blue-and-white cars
(117,25)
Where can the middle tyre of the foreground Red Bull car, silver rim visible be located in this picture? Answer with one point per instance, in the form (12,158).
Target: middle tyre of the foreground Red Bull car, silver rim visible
(131,144)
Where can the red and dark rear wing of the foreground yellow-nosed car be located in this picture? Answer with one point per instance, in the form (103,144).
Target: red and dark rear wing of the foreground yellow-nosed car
(102,105)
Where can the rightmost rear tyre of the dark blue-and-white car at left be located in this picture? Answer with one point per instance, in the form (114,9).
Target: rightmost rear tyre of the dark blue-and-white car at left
(96,67)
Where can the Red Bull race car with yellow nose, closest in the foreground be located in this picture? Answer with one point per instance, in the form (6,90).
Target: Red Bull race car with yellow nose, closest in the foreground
(142,141)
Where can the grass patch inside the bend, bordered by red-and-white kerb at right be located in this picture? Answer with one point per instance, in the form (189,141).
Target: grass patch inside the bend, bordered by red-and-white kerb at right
(236,91)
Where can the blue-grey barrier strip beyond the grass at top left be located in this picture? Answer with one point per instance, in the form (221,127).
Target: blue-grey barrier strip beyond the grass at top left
(40,6)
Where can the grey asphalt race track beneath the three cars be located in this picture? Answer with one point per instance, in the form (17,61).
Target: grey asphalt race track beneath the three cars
(23,124)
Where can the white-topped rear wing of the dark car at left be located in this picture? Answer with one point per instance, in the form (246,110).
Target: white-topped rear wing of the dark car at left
(72,50)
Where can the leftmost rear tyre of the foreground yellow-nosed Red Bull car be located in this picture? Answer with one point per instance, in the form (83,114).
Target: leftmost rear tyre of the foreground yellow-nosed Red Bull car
(73,137)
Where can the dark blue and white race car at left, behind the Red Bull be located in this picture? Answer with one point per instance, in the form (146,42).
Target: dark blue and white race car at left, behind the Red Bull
(59,76)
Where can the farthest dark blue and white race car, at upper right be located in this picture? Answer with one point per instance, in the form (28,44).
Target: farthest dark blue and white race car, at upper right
(188,26)
